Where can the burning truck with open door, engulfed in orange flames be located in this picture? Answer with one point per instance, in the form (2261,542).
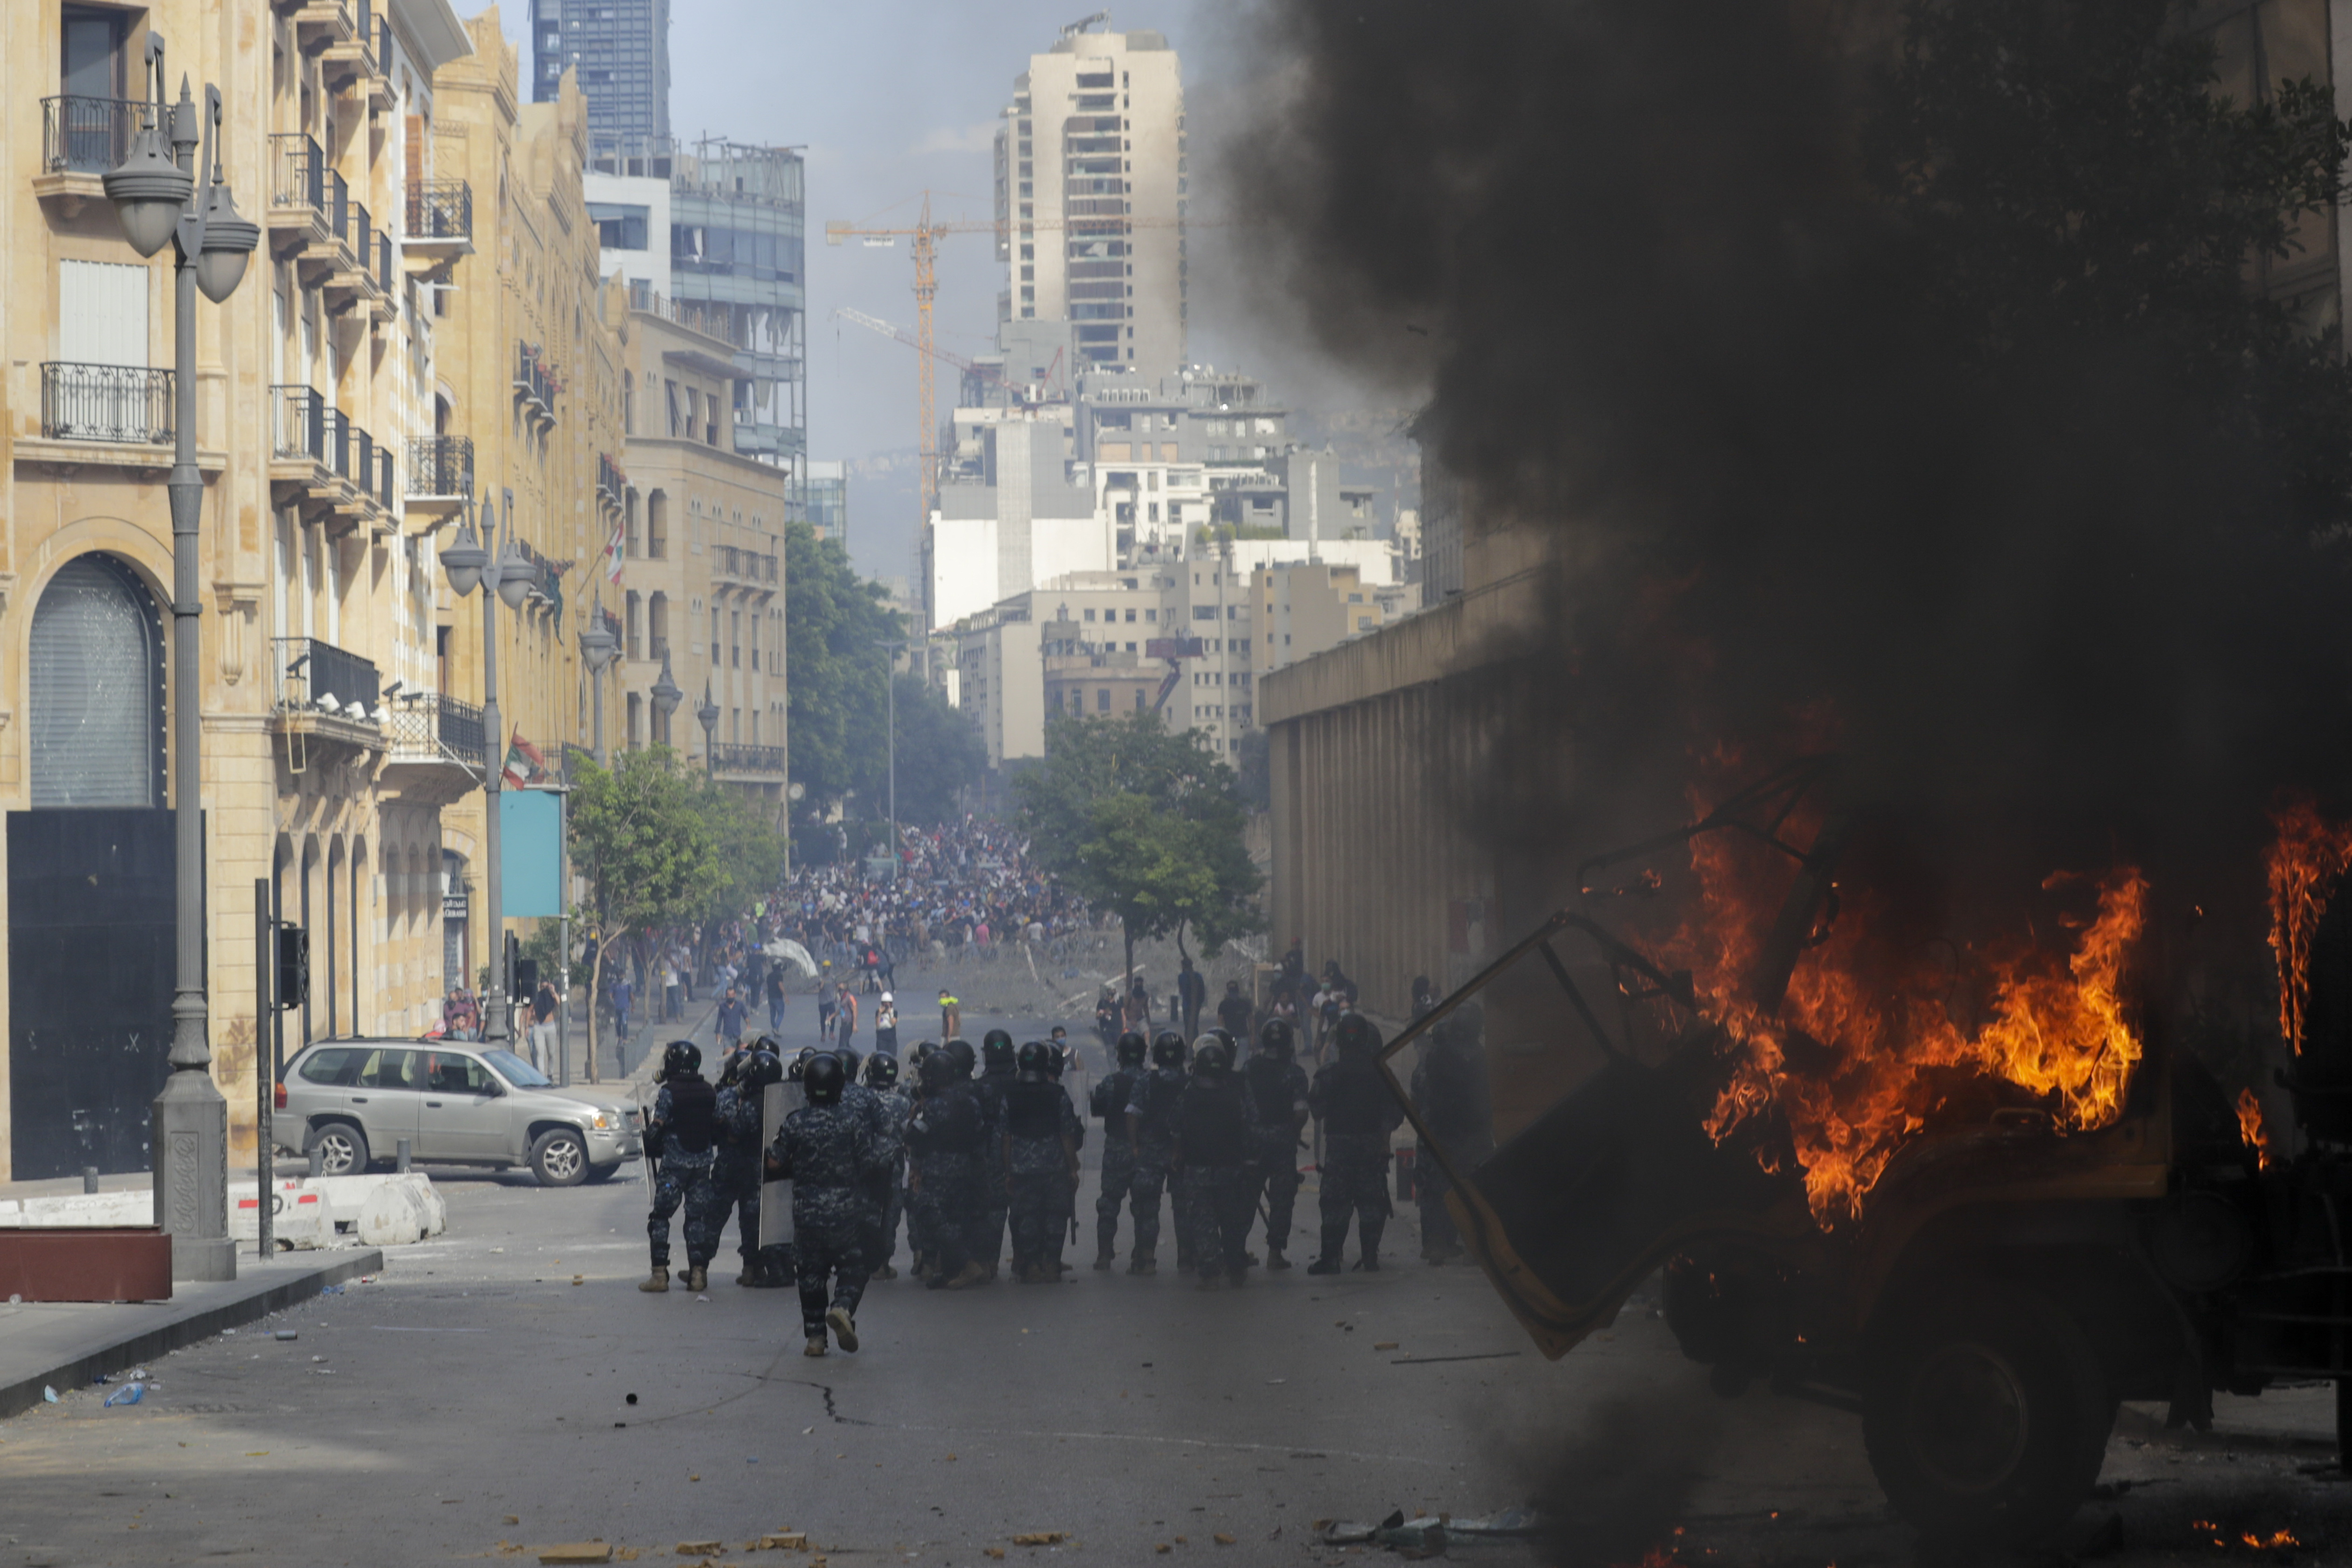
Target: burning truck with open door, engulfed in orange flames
(1975,1188)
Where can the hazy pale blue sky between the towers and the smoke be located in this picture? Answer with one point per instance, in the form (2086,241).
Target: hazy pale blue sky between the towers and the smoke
(893,98)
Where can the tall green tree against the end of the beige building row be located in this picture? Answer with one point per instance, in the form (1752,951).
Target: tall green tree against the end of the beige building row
(831,626)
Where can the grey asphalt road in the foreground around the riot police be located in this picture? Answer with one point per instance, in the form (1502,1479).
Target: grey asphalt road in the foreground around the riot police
(479,1400)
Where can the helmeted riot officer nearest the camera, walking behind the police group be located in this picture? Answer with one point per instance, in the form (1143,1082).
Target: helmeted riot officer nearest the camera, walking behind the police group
(827,1153)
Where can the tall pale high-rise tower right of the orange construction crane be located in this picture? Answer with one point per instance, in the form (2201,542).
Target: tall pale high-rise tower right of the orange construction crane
(1093,199)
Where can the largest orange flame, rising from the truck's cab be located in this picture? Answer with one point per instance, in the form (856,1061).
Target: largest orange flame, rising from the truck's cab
(1864,1047)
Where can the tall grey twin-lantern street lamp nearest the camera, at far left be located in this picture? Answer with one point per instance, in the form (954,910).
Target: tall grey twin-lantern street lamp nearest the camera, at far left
(156,199)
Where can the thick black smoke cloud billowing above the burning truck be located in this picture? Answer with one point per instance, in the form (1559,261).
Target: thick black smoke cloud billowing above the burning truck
(2054,603)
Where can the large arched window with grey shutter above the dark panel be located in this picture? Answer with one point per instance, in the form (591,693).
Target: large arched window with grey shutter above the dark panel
(98,690)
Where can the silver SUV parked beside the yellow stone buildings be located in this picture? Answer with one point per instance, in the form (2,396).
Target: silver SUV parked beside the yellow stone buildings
(457,1106)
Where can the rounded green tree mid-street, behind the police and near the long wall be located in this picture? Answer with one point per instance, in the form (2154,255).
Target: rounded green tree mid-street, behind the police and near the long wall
(1144,824)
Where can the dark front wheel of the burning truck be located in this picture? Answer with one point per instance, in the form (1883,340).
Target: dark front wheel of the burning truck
(1986,1416)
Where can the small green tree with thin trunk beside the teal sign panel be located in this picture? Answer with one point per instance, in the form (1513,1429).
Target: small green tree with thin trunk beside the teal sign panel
(643,840)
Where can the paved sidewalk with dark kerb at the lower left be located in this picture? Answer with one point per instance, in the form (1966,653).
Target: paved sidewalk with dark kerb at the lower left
(69,1343)
